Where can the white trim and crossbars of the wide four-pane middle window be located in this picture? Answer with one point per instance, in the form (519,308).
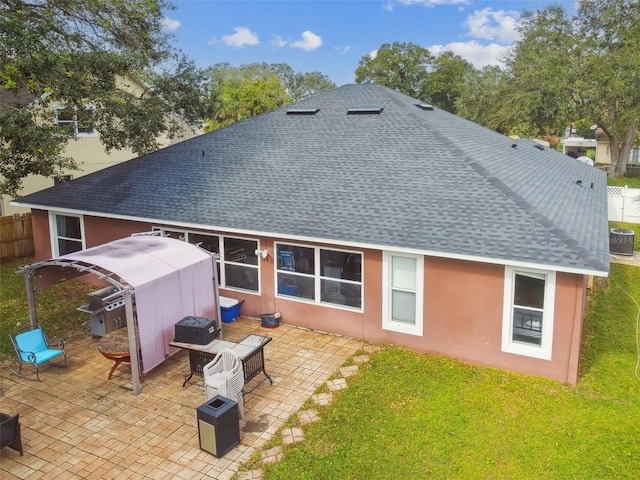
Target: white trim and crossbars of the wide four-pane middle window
(318,278)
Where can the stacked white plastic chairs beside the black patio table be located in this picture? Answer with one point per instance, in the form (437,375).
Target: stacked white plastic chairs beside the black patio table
(224,375)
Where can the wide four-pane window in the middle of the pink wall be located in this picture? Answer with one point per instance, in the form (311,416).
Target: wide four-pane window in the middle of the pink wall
(319,275)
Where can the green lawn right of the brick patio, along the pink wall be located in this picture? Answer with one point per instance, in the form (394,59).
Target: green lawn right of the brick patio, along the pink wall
(413,416)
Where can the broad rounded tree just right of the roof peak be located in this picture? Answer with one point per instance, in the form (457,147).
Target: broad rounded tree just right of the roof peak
(404,67)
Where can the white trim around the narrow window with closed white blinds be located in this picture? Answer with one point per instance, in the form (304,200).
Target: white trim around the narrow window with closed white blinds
(387,322)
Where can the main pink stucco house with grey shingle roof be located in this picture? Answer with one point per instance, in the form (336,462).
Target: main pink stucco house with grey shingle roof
(363,212)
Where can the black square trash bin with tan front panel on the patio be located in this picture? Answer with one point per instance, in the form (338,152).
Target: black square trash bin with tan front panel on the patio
(218,425)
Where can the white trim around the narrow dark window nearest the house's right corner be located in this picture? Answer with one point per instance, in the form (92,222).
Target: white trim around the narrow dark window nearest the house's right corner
(544,350)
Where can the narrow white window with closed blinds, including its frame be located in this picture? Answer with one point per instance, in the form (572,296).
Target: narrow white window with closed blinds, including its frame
(402,300)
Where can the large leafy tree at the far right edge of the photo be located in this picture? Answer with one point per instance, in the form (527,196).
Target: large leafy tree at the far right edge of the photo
(582,68)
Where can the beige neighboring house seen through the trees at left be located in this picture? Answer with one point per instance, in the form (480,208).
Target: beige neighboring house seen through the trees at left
(86,149)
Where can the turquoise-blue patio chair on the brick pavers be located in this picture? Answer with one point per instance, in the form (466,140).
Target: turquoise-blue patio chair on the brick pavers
(33,348)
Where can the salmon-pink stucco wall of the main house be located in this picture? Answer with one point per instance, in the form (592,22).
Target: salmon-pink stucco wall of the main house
(463,306)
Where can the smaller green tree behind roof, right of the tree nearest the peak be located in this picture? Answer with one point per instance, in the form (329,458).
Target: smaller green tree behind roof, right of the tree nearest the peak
(446,81)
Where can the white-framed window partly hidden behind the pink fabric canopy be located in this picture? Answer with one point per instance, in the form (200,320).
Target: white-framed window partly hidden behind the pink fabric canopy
(237,263)
